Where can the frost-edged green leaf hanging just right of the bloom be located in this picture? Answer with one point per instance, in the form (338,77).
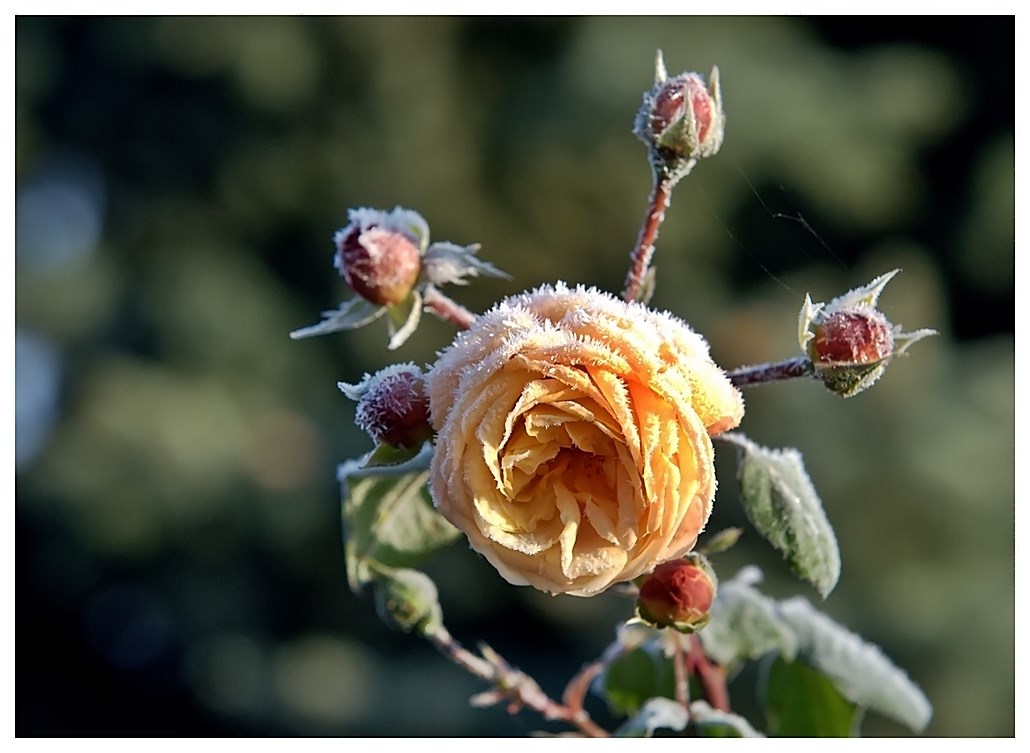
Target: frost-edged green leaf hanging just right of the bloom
(783,506)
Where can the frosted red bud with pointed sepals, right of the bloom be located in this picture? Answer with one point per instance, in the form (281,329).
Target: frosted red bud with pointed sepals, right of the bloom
(849,340)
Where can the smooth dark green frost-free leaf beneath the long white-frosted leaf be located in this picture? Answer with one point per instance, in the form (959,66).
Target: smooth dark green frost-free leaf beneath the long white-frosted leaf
(801,702)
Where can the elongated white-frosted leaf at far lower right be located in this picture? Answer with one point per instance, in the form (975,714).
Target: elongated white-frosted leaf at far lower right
(860,670)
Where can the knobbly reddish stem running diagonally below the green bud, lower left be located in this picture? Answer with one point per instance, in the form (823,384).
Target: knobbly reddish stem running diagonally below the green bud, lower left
(519,689)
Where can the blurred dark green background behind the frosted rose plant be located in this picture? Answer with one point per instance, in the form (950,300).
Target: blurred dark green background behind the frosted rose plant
(179,181)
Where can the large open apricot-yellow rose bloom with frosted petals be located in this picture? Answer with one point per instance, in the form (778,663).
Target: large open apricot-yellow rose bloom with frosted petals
(574,438)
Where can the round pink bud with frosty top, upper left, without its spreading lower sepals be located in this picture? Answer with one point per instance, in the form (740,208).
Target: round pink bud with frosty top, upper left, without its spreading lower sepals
(381,254)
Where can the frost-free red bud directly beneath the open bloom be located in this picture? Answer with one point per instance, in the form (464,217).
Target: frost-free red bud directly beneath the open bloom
(678,595)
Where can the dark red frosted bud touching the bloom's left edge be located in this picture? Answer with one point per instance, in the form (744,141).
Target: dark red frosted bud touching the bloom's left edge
(393,406)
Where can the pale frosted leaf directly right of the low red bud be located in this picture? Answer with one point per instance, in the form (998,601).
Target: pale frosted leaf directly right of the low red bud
(745,624)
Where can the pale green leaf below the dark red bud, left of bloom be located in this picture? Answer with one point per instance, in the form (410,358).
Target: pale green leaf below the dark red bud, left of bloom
(389,518)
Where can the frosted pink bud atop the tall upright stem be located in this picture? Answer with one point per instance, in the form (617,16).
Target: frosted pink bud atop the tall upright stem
(681,120)
